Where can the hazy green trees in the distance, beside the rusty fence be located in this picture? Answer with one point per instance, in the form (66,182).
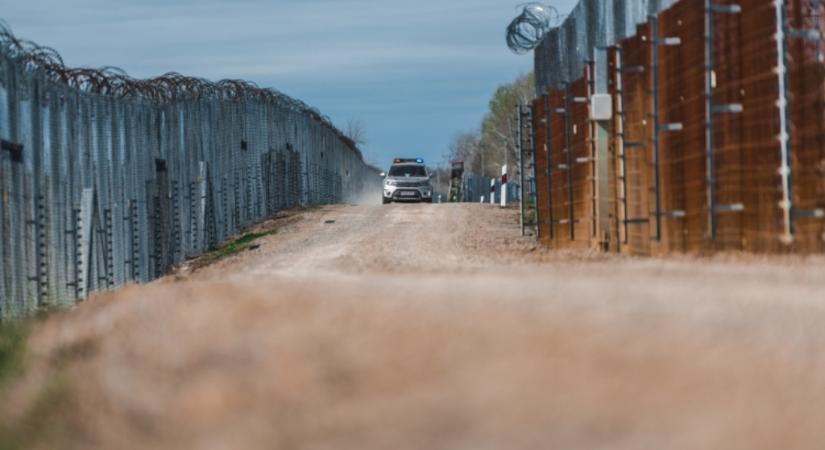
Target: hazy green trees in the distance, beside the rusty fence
(493,144)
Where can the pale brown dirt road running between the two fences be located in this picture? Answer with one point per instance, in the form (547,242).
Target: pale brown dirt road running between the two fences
(436,327)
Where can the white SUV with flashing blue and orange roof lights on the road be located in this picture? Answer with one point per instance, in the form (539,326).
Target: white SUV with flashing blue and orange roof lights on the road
(408,180)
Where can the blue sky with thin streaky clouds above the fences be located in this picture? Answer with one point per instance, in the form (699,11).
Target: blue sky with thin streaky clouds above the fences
(415,72)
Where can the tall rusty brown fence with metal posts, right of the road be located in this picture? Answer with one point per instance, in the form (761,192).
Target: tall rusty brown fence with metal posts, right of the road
(714,137)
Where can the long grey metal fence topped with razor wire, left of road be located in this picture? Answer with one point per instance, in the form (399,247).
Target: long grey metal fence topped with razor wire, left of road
(105,180)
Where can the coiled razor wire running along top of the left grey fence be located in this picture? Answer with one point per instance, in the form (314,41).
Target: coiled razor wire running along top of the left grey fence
(169,87)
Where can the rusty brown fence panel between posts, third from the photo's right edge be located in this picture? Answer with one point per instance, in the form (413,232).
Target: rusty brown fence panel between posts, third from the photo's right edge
(679,127)
